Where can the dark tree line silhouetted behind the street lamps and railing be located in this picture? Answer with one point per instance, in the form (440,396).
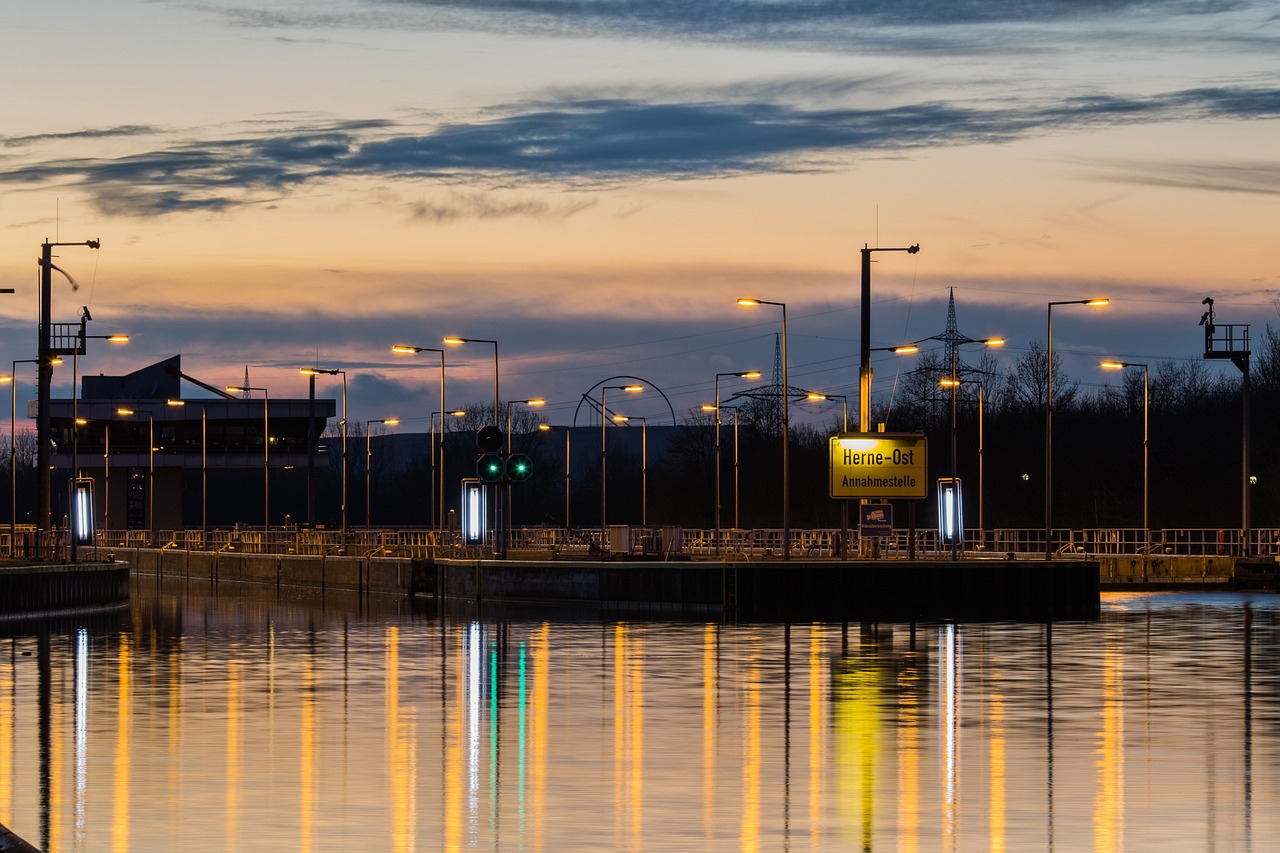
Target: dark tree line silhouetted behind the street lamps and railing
(1195,451)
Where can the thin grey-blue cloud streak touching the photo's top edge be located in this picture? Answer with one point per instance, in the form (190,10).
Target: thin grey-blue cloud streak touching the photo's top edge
(839,26)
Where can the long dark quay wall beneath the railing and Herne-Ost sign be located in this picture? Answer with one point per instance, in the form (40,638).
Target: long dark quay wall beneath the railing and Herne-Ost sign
(705,587)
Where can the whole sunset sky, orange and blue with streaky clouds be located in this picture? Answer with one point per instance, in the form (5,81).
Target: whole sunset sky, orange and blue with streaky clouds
(593,184)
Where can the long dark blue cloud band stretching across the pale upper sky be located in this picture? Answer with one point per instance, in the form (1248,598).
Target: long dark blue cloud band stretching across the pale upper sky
(593,143)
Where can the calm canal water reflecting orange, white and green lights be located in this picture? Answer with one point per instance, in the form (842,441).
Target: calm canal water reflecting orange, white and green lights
(241,720)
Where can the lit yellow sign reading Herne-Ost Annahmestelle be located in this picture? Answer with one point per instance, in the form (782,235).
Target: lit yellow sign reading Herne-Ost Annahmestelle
(880,466)
